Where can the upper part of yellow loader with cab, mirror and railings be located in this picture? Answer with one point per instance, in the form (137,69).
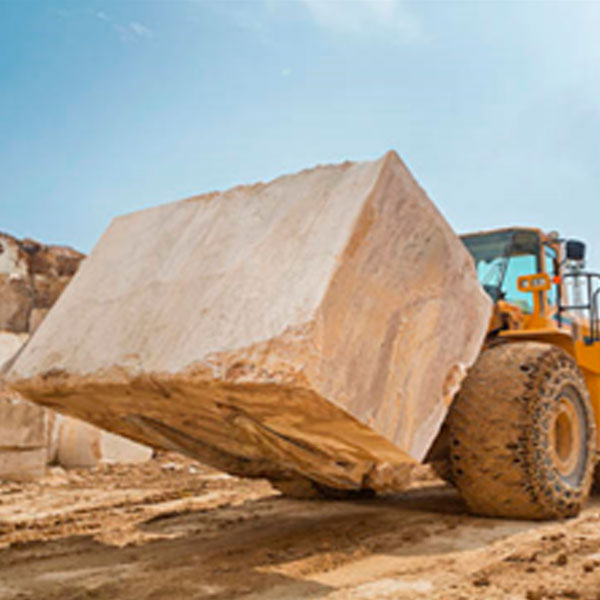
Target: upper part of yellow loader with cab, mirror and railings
(563,293)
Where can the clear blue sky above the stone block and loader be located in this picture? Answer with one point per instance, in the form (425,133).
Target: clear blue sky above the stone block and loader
(111,106)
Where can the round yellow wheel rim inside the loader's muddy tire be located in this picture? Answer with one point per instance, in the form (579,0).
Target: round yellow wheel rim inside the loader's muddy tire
(567,436)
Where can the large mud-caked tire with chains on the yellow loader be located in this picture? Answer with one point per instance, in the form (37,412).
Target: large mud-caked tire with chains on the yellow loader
(522,434)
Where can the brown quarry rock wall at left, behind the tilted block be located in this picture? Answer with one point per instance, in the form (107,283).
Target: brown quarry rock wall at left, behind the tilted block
(32,277)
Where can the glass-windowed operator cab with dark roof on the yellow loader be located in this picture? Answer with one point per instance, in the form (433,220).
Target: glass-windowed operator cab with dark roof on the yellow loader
(503,256)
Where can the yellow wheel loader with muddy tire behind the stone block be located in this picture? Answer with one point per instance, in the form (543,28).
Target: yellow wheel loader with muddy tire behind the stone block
(521,436)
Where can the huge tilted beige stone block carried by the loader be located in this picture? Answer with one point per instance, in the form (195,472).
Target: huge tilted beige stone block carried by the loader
(319,324)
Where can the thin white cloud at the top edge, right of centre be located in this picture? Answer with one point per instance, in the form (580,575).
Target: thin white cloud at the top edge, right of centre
(365,17)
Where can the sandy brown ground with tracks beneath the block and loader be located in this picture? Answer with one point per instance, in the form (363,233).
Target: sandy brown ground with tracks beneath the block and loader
(173,529)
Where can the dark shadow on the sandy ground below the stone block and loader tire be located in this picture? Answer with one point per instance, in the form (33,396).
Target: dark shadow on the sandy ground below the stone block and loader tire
(241,549)
